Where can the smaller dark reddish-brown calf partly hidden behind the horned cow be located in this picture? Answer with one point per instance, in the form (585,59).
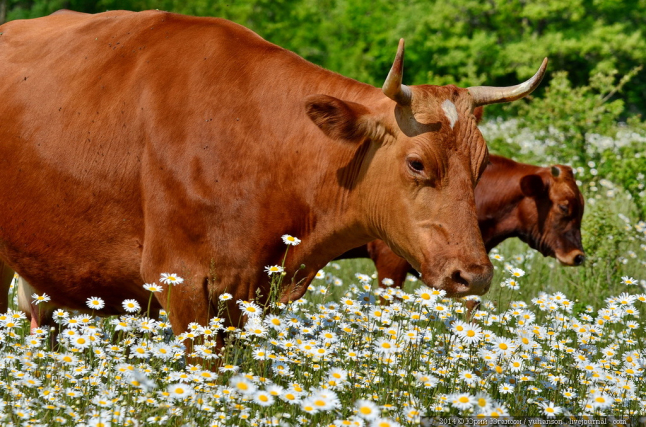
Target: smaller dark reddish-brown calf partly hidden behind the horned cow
(541,206)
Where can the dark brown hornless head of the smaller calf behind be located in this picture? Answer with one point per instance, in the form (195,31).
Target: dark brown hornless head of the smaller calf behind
(553,205)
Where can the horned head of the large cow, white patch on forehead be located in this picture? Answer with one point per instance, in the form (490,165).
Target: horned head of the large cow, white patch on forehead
(418,156)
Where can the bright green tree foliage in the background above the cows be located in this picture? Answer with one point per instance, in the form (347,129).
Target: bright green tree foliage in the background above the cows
(464,42)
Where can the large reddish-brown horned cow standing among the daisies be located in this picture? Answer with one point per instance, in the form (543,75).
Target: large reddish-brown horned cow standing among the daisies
(133,144)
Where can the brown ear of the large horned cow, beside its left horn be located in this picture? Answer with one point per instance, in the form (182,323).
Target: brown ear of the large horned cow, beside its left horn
(341,119)
